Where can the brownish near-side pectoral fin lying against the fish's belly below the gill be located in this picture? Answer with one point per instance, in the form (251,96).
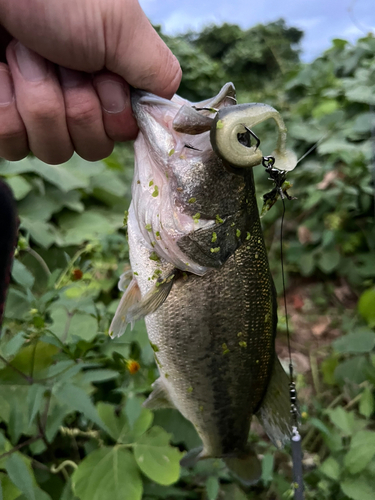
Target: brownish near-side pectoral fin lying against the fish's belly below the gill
(152,300)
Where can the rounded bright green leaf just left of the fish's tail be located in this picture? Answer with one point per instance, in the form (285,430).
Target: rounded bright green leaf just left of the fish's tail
(156,458)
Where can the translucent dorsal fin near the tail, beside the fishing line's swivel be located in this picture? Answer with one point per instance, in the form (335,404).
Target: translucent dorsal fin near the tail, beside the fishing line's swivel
(274,412)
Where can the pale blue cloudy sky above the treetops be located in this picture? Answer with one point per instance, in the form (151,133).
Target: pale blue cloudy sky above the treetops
(321,20)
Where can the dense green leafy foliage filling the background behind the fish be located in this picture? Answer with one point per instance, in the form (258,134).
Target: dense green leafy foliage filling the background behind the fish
(71,422)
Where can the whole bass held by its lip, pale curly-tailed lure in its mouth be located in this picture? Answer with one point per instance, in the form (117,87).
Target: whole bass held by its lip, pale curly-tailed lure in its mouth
(200,275)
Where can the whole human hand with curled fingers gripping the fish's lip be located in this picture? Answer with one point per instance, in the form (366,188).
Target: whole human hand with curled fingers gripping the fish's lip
(83,104)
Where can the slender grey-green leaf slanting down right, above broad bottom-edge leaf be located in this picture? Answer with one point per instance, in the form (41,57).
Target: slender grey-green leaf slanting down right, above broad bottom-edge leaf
(78,400)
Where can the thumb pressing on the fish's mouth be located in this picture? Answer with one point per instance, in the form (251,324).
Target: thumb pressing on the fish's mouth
(137,53)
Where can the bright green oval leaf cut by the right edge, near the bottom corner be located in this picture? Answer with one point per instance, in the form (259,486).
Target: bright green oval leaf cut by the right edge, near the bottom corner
(362,450)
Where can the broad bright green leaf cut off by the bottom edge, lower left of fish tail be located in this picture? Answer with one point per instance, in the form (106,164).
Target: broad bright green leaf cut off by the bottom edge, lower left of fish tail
(108,473)
